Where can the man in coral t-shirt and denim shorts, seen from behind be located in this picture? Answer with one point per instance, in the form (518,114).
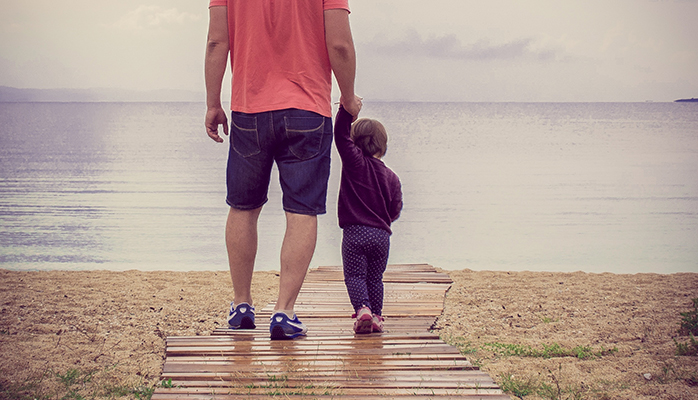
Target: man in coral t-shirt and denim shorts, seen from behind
(282,55)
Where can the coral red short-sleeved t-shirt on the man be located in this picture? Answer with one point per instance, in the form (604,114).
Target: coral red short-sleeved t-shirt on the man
(278,54)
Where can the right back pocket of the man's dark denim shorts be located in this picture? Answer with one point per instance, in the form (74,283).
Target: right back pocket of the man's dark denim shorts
(305,135)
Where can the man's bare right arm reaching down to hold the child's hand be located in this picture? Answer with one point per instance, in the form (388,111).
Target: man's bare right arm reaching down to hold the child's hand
(340,47)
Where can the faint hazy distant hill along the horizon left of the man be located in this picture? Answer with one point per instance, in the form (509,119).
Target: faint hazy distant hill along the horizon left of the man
(15,95)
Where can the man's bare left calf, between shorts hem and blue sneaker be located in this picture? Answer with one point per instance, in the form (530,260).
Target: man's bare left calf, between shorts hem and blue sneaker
(241,242)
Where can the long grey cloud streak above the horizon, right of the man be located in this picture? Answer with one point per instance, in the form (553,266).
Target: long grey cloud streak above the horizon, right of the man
(449,47)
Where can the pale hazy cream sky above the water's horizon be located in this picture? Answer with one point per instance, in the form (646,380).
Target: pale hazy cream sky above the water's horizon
(407,50)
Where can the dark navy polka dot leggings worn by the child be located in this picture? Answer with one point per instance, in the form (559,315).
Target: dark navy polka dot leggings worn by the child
(365,256)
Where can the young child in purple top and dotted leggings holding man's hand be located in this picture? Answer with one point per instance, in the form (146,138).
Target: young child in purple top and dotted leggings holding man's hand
(370,199)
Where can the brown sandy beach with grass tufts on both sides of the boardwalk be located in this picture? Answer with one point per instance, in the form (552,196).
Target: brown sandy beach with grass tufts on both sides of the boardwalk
(101,334)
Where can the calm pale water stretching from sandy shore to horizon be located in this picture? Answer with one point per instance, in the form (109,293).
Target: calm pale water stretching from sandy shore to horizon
(506,186)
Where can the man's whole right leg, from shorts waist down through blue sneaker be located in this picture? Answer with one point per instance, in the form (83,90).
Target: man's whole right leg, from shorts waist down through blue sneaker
(303,160)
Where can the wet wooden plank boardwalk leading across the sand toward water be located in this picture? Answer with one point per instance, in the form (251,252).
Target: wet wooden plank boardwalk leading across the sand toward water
(405,361)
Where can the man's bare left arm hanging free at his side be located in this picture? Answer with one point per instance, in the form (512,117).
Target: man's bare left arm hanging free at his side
(217,50)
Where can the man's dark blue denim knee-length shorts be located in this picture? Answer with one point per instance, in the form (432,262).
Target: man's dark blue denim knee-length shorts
(298,141)
